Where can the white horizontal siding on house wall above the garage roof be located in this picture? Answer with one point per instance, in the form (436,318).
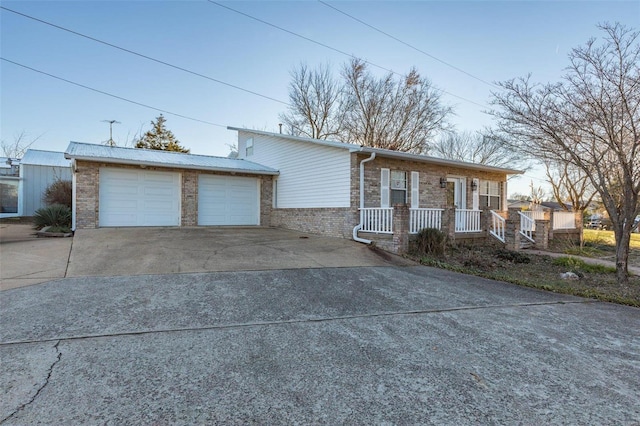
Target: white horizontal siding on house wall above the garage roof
(310,175)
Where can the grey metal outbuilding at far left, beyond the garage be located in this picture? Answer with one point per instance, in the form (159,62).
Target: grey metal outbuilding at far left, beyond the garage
(23,181)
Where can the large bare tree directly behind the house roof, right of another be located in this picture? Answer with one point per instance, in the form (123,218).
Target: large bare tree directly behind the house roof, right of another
(397,114)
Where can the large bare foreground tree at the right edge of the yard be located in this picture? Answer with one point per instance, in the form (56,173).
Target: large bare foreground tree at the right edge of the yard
(591,120)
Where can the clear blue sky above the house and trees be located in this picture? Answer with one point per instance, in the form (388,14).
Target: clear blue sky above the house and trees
(493,40)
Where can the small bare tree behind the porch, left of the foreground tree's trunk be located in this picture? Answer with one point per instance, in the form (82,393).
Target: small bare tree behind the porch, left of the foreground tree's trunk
(570,185)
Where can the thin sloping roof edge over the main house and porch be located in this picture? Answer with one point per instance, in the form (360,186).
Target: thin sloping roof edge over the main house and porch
(386,152)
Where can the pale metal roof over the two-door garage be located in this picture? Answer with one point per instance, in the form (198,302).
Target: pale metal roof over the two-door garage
(150,157)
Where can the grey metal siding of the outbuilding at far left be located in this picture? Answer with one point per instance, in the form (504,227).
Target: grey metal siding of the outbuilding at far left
(35,180)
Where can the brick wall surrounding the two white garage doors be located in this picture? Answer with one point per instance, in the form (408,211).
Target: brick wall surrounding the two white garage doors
(88,182)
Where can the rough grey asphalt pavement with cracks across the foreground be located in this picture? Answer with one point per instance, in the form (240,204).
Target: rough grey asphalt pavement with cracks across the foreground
(374,345)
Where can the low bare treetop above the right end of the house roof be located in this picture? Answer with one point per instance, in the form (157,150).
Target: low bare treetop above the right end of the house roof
(475,148)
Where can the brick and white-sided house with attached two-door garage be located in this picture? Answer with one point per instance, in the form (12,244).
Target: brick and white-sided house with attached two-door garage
(317,186)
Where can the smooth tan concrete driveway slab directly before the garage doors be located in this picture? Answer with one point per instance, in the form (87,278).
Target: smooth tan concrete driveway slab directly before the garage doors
(135,251)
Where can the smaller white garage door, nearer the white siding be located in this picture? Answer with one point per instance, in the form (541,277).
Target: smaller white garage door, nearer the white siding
(228,200)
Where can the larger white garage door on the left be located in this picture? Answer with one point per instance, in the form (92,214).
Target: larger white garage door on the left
(139,198)
